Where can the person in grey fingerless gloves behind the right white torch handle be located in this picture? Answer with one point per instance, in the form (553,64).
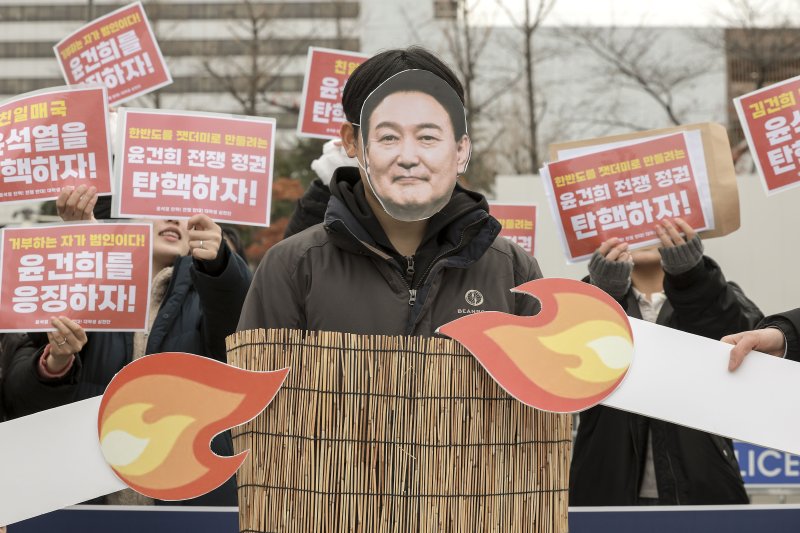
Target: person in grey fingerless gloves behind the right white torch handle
(621,458)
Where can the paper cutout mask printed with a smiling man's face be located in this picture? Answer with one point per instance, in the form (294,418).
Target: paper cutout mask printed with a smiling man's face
(414,144)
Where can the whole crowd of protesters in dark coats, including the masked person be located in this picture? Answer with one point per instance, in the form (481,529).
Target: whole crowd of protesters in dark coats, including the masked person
(400,275)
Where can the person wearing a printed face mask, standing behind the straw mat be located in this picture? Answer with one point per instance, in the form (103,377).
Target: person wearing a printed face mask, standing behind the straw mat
(402,246)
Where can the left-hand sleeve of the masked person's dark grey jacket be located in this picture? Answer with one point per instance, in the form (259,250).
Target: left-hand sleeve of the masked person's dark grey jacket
(274,299)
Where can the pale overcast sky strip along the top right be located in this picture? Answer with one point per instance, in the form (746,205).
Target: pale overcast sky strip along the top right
(635,12)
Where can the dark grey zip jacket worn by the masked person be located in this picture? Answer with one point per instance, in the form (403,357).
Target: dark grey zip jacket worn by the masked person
(336,277)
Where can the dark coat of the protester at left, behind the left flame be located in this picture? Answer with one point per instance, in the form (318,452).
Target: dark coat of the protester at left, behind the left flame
(197,313)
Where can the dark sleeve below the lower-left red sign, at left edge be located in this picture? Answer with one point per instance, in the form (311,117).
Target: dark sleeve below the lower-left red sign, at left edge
(24,391)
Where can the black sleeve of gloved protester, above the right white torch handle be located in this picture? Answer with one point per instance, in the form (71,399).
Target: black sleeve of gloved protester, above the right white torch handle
(706,304)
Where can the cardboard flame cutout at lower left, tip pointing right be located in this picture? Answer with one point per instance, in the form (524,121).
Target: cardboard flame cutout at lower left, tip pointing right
(159,414)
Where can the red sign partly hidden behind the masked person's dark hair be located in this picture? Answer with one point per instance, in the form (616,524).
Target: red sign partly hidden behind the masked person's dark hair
(327,71)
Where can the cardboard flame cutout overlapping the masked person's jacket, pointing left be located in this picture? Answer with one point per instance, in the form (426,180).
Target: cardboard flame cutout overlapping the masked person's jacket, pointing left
(569,357)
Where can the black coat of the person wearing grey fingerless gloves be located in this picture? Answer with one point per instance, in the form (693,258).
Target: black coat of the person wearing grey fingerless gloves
(692,467)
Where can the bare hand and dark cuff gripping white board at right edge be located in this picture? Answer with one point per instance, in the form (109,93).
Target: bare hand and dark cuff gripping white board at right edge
(777,335)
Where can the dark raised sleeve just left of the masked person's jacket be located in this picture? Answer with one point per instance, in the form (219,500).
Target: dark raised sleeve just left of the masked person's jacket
(221,299)
